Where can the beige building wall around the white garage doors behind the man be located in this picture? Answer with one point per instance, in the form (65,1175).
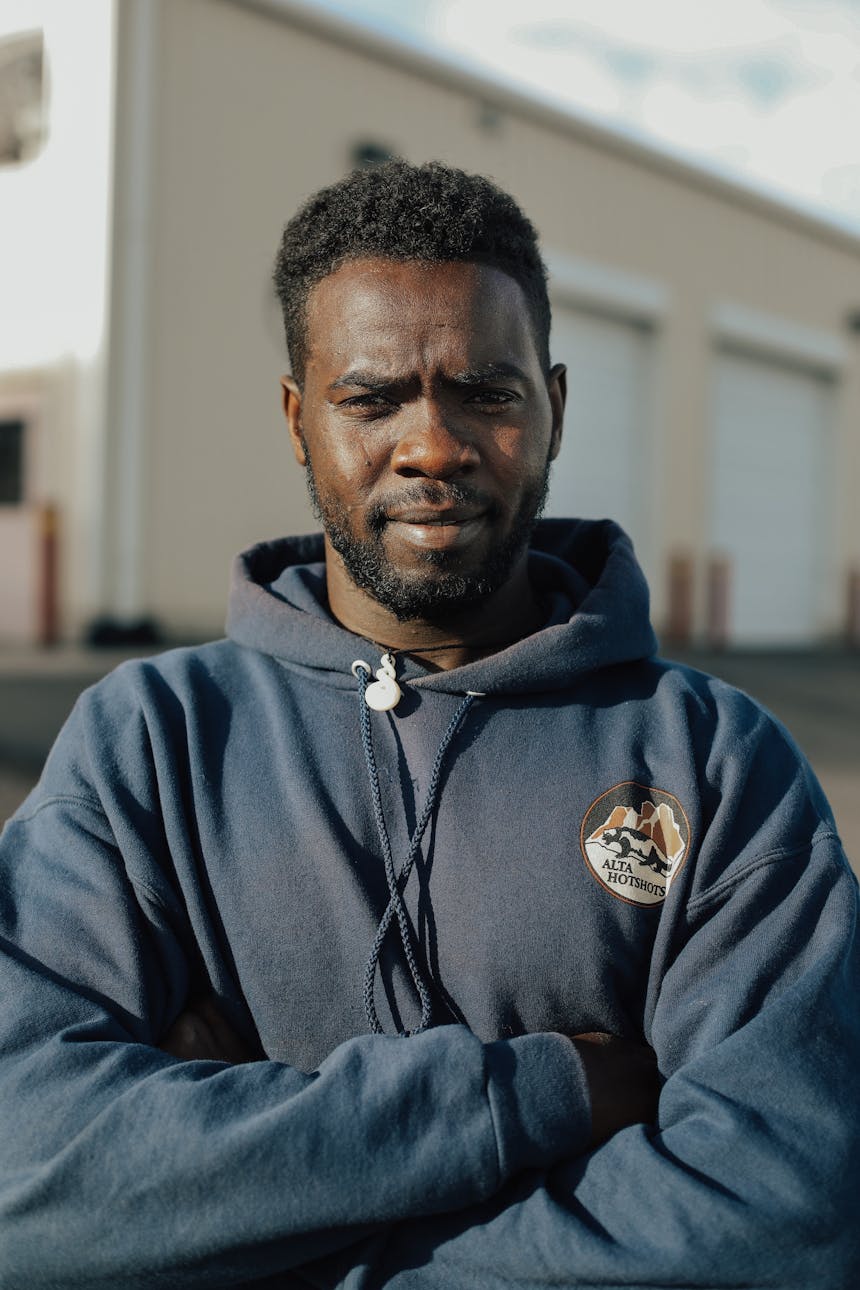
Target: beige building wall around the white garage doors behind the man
(252,113)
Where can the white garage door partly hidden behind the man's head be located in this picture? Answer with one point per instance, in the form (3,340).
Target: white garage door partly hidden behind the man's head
(603,464)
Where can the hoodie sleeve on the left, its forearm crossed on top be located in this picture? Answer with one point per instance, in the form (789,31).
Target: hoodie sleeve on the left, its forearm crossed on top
(126,1167)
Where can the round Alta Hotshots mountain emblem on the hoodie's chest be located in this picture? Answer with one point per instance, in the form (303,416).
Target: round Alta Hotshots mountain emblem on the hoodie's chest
(635,840)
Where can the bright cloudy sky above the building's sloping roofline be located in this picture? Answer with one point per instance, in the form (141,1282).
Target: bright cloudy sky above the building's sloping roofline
(767,92)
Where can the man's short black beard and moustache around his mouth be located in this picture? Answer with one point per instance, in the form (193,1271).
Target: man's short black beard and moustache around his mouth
(438,590)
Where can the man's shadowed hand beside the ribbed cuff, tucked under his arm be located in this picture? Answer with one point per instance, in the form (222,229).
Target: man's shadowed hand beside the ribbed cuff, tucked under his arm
(623,1083)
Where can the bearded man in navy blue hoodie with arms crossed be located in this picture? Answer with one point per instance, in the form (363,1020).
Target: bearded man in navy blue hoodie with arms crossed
(442,847)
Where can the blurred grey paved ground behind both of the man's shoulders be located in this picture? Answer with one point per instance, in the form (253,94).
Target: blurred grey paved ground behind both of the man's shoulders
(816,695)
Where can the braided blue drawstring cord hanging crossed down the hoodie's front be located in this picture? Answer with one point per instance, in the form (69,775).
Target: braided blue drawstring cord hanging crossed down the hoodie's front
(398,883)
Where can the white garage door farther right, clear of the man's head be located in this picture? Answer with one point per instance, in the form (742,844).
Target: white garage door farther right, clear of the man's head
(769,517)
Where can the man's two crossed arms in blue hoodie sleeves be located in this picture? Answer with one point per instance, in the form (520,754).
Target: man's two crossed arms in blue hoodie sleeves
(436,1162)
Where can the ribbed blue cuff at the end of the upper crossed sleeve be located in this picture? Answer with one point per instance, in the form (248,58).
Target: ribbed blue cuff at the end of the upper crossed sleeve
(540,1101)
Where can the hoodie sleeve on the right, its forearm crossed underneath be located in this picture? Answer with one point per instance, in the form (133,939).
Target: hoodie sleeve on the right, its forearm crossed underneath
(752,1175)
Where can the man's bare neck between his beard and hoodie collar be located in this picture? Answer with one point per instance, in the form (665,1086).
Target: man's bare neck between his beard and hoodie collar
(460,638)
